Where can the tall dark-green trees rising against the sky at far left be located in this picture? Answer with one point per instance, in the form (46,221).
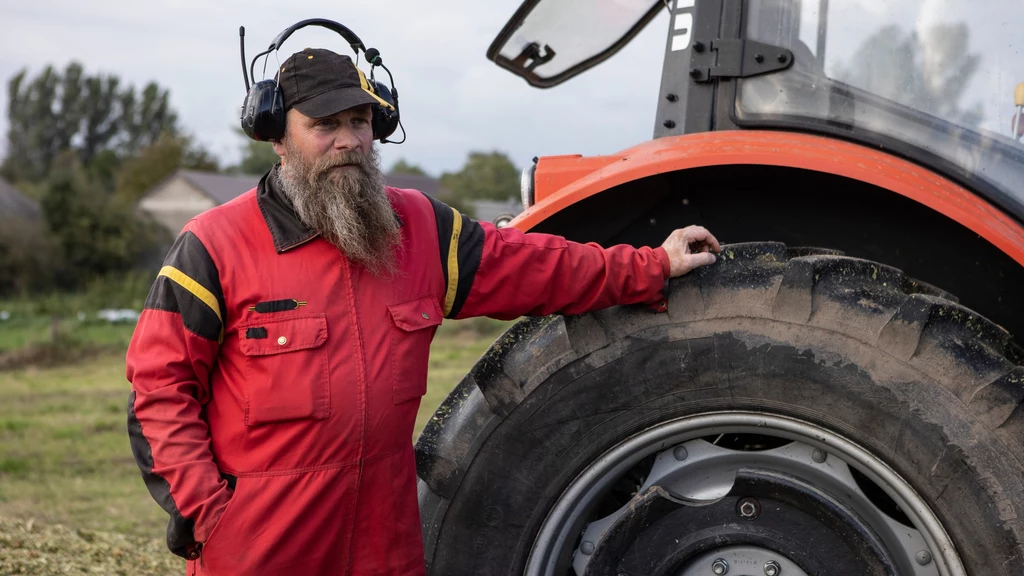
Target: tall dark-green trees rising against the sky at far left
(93,115)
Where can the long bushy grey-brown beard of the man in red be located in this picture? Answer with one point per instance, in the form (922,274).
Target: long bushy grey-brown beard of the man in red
(351,210)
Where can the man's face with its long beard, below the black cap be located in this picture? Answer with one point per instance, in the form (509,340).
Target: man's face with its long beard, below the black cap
(331,172)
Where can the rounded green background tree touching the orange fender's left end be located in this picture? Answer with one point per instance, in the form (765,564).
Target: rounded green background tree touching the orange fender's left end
(485,177)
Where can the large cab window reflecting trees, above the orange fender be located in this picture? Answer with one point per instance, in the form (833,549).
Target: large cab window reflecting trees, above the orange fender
(932,79)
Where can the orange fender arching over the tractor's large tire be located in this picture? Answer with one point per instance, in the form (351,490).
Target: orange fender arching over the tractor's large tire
(564,181)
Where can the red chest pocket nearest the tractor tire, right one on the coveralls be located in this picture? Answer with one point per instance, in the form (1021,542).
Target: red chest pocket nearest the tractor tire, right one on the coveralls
(413,327)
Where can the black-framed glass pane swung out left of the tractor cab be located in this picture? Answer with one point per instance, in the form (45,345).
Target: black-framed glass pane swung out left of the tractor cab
(549,42)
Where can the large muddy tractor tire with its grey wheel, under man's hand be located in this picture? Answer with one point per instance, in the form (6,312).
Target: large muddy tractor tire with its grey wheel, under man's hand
(794,412)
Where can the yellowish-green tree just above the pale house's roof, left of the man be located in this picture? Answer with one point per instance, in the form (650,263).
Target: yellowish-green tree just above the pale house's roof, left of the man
(158,161)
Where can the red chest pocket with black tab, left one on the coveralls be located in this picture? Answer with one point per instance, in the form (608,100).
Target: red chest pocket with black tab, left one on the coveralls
(287,375)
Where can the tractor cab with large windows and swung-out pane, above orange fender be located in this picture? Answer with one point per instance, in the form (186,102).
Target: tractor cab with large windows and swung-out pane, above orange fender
(937,83)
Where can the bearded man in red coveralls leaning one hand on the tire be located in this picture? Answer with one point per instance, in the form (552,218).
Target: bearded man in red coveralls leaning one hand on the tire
(278,367)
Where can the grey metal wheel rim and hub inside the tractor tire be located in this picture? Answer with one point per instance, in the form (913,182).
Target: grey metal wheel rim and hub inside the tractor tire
(795,508)
